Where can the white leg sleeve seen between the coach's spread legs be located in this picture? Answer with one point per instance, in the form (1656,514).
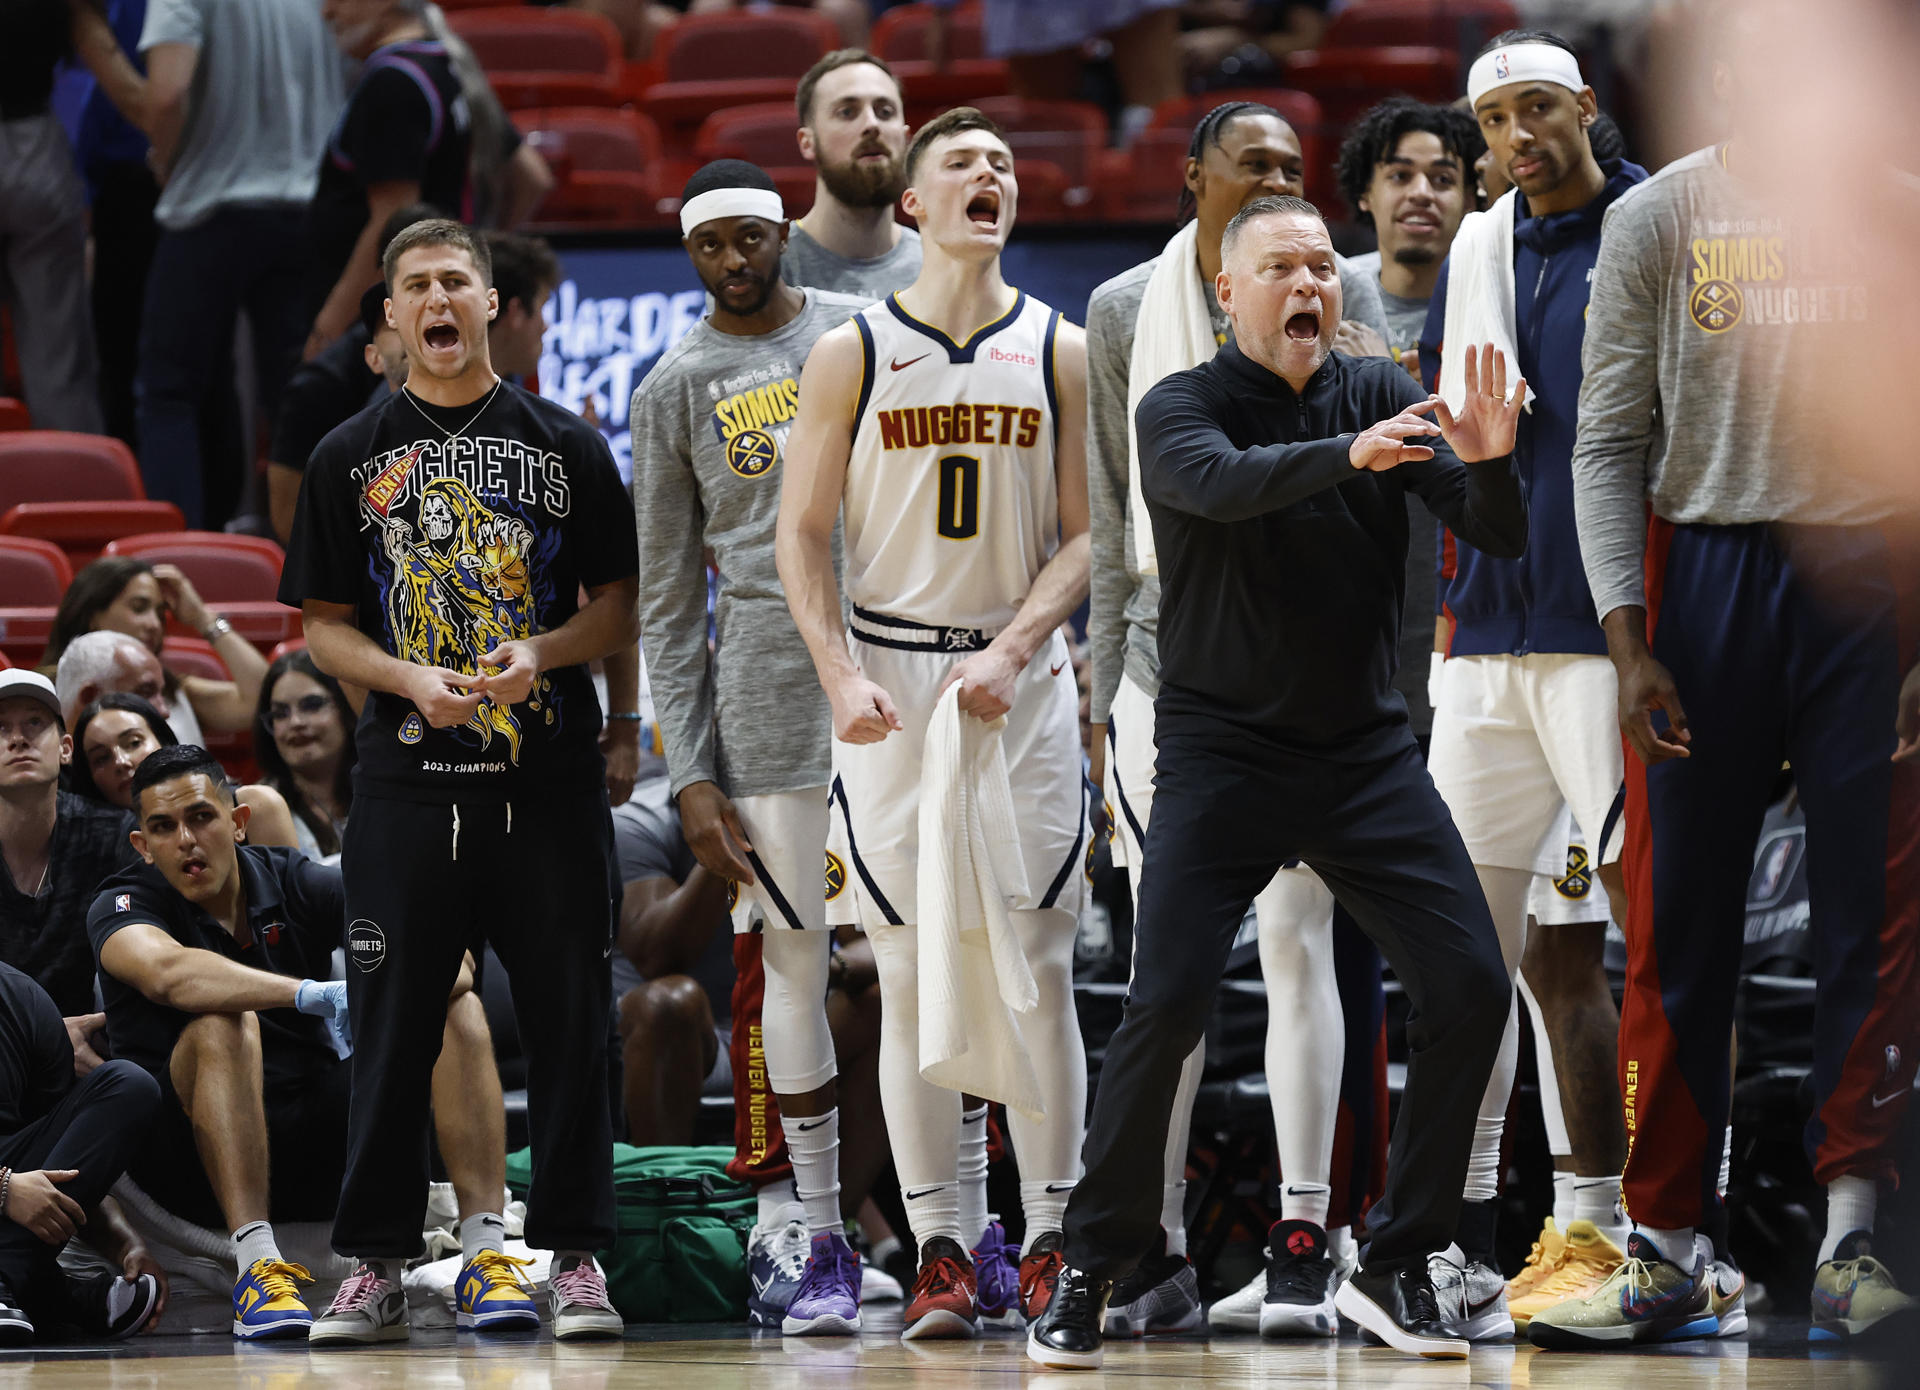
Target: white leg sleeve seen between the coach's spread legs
(1307,1028)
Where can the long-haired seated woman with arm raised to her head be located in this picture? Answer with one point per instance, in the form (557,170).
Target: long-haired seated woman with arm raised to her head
(122,594)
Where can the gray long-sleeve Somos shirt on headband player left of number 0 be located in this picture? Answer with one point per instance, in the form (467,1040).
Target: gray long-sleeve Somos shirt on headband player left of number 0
(709,431)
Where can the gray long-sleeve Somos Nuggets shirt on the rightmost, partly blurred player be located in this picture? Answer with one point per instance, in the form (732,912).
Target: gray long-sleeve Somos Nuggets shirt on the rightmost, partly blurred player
(1710,312)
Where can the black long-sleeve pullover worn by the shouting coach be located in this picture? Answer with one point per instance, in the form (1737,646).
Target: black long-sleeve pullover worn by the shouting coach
(1284,567)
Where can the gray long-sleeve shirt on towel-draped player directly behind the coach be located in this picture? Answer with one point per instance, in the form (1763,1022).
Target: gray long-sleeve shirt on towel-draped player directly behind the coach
(1124,611)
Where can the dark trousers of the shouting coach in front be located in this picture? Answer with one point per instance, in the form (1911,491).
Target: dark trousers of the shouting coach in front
(1230,809)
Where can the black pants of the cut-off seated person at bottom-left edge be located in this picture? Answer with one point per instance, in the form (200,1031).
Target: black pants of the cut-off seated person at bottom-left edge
(95,1128)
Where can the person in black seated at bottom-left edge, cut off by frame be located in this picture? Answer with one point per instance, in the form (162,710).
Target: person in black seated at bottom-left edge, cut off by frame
(64,1143)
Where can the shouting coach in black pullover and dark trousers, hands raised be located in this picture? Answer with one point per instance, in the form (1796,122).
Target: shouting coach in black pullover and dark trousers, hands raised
(1276,481)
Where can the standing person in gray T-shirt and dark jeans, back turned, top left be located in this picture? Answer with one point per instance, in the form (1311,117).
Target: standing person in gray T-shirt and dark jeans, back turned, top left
(241,95)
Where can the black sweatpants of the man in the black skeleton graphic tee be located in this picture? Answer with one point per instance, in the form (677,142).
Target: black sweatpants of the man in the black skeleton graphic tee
(423,884)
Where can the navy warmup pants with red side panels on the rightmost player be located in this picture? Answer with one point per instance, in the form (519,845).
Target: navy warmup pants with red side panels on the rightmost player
(1785,642)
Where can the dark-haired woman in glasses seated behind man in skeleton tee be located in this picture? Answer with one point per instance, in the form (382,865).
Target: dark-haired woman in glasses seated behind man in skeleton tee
(306,752)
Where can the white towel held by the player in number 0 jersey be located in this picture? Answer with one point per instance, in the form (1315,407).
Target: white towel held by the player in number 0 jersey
(972,974)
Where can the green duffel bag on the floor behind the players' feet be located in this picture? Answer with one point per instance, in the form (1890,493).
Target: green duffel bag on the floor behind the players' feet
(683,1247)
